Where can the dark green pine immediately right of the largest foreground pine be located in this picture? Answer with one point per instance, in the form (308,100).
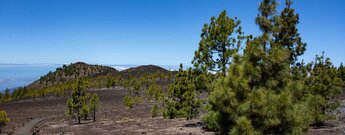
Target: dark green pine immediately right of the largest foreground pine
(323,85)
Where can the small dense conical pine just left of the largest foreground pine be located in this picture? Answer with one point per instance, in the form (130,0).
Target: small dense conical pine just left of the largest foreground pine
(182,99)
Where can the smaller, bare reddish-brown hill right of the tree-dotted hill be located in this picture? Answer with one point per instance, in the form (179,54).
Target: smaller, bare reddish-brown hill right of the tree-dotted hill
(146,69)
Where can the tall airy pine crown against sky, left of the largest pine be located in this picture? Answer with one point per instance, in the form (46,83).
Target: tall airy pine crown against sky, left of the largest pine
(218,43)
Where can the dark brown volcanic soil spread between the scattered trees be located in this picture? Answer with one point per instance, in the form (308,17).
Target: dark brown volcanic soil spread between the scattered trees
(113,118)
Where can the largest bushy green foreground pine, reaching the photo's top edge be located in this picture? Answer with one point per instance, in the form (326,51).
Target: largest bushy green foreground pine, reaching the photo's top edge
(257,96)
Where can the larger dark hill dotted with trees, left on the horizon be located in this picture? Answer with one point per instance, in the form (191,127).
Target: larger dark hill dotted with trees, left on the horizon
(71,72)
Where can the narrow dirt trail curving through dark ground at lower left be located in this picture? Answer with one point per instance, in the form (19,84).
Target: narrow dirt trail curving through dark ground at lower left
(27,128)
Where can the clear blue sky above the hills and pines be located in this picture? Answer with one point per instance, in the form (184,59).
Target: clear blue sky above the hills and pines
(162,32)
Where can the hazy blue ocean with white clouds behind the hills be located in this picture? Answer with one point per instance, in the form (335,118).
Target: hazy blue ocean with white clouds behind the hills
(16,75)
